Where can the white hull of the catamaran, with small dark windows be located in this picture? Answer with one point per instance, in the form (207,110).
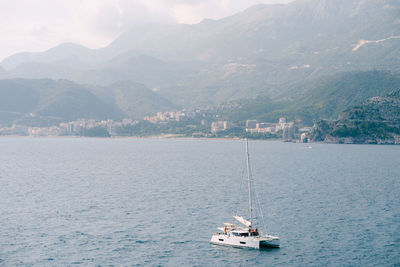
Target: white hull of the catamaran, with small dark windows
(245,242)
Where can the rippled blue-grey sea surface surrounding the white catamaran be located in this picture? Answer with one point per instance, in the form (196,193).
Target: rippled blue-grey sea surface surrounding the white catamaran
(158,202)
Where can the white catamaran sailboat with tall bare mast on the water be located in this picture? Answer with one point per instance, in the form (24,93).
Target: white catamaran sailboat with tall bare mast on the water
(247,234)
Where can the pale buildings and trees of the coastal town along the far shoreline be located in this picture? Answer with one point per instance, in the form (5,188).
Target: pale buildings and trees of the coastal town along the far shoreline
(182,123)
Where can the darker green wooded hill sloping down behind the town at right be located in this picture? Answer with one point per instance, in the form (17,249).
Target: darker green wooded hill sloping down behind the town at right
(322,98)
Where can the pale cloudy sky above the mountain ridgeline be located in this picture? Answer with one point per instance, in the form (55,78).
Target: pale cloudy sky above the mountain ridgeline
(36,25)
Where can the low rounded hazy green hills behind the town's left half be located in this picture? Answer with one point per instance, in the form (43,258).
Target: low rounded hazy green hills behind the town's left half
(48,102)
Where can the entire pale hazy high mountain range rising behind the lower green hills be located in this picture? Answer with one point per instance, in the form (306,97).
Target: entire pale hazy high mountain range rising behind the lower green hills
(274,51)
